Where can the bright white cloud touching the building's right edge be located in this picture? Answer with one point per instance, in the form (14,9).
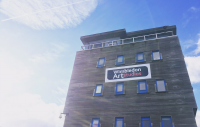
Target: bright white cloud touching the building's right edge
(193,67)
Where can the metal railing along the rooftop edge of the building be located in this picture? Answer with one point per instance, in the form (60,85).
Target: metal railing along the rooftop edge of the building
(127,40)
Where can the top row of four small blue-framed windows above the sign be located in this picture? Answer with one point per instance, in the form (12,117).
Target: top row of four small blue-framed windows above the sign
(156,55)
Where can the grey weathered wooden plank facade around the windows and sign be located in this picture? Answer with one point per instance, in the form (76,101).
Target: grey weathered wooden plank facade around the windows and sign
(178,101)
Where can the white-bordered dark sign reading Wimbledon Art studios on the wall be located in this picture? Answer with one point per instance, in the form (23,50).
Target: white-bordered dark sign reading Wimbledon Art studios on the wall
(125,73)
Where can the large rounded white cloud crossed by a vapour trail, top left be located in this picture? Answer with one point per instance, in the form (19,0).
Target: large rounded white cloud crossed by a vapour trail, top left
(42,14)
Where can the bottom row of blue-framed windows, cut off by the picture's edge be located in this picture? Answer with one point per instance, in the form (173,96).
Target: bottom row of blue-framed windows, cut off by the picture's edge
(166,121)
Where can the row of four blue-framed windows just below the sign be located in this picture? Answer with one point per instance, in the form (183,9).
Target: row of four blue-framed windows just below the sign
(142,87)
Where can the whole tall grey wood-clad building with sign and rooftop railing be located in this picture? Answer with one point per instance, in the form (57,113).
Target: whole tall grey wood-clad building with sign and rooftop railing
(130,79)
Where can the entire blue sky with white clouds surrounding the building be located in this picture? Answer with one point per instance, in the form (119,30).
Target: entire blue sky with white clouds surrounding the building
(39,41)
